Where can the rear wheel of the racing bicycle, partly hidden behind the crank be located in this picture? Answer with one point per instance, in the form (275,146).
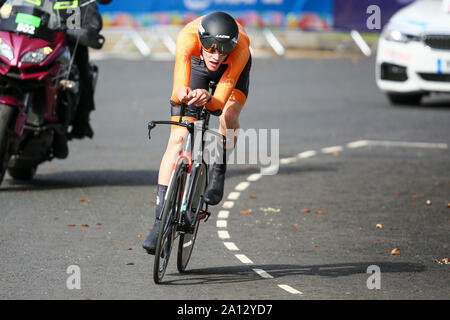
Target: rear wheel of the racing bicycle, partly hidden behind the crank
(187,240)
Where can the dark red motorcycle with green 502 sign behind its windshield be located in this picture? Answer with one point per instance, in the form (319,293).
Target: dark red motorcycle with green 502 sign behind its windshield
(39,83)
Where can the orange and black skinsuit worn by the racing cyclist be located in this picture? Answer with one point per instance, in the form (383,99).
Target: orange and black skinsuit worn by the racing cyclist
(232,77)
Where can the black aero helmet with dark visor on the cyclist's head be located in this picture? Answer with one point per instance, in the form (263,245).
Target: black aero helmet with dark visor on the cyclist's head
(218,30)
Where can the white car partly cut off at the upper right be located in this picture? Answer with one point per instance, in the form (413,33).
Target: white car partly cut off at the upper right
(413,55)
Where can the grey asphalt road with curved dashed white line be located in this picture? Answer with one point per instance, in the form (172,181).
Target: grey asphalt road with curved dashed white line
(359,208)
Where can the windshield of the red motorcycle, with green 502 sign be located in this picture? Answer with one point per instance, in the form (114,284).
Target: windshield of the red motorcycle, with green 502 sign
(36,18)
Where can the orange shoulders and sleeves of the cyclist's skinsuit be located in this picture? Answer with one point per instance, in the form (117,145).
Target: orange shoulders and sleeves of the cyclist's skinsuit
(188,45)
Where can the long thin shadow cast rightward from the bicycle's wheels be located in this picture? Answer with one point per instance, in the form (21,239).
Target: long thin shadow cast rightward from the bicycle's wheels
(231,274)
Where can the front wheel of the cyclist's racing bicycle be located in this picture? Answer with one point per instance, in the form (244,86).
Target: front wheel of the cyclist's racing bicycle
(167,229)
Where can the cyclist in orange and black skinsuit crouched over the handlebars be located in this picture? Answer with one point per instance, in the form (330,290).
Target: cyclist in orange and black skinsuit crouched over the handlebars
(215,48)
